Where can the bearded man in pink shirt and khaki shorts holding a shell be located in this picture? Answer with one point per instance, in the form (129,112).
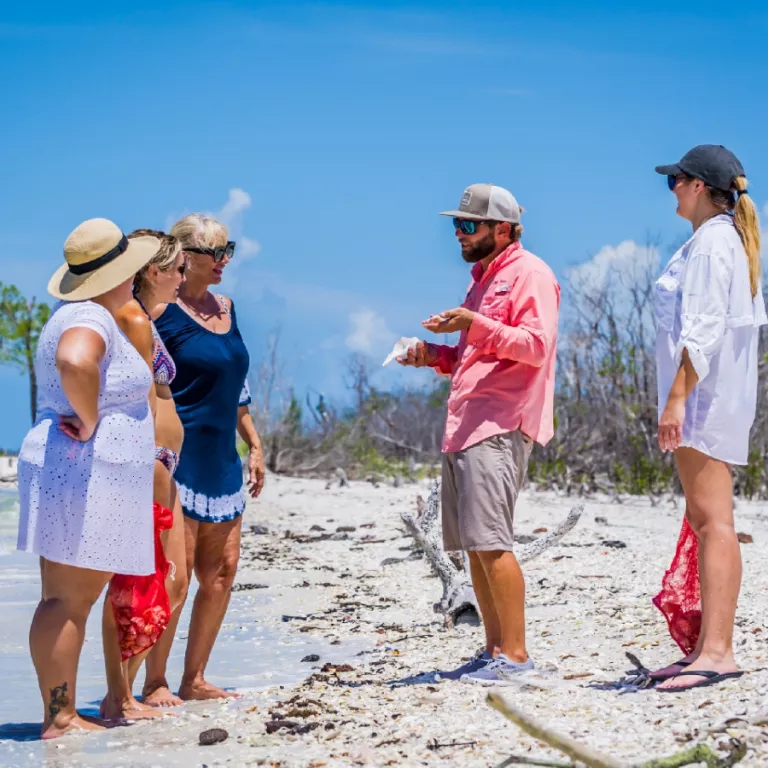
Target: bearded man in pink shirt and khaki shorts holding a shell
(501,402)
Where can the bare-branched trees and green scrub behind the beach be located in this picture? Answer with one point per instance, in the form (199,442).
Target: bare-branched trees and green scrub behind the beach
(605,401)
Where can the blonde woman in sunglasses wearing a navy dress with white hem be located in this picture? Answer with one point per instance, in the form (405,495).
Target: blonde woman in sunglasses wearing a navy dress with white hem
(211,396)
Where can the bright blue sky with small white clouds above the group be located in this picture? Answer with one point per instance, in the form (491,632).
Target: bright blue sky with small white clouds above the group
(331,135)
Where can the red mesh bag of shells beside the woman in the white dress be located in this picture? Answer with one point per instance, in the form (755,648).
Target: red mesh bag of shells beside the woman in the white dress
(140,603)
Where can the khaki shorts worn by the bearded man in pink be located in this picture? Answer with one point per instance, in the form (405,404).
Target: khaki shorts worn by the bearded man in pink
(480,486)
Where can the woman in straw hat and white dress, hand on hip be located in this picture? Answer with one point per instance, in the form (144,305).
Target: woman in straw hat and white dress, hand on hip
(85,467)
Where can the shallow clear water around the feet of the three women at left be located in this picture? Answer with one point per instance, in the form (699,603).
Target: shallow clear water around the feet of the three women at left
(254,652)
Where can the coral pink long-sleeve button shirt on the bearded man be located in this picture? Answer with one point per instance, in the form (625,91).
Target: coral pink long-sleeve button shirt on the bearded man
(503,368)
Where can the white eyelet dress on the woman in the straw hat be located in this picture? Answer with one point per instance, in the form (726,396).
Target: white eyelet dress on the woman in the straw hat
(90,504)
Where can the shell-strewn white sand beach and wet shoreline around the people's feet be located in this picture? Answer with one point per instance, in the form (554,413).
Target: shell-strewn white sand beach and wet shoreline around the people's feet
(588,604)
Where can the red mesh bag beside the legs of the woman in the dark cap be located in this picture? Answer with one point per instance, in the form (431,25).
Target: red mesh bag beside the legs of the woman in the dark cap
(680,596)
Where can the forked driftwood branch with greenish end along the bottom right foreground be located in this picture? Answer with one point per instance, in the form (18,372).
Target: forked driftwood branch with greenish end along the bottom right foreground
(700,753)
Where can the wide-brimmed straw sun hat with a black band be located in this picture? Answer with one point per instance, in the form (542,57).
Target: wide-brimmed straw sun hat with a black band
(99,257)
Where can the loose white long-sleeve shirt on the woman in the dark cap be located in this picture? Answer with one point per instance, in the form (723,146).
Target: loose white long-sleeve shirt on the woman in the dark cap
(703,303)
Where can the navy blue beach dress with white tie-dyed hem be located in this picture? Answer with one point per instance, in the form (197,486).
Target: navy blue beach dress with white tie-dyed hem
(210,385)
